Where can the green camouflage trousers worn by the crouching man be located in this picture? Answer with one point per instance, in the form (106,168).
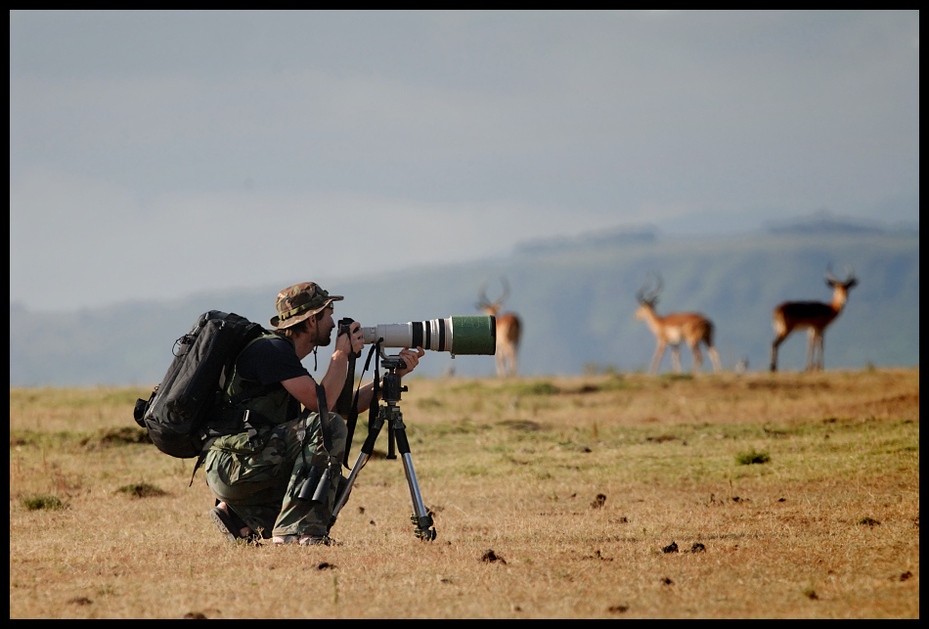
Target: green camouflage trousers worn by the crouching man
(260,478)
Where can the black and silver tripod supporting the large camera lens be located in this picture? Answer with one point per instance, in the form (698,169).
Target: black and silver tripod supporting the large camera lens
(389,413)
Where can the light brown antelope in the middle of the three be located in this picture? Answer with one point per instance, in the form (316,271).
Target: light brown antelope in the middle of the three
(690,327)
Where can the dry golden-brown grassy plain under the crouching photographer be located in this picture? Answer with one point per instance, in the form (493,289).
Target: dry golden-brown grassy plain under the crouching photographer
(601,496)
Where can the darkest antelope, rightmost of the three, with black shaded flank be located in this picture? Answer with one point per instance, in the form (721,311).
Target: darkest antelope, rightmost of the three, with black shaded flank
(813,315)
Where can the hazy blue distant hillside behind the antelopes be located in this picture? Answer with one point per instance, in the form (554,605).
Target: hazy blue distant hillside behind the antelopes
(576,298)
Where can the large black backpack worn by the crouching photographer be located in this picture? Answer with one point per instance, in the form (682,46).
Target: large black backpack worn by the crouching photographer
(187,408)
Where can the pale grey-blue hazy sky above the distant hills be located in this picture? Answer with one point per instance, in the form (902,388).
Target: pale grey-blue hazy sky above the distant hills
(157,154)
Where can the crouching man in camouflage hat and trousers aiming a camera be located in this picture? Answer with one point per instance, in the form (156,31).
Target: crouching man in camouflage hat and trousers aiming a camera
(259,475)
